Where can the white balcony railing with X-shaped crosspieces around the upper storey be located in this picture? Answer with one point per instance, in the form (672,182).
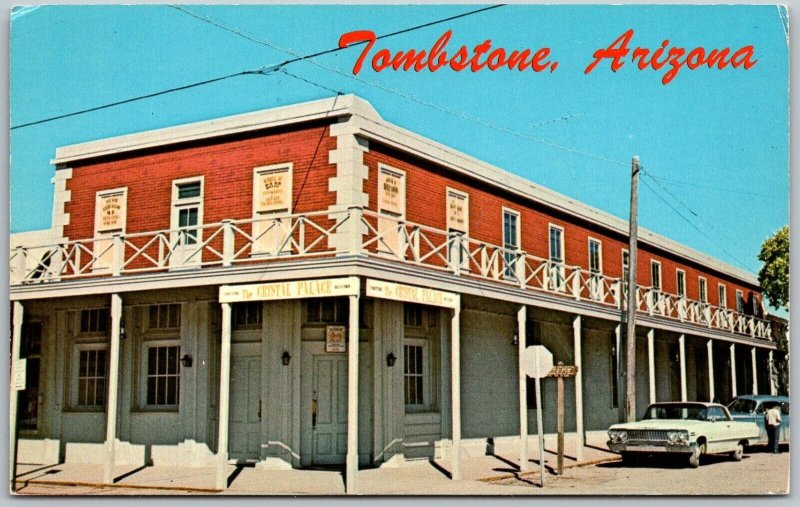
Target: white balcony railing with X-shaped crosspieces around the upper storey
(307,235)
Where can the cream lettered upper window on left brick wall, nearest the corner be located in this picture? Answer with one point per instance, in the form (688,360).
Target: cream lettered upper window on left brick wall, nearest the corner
(272,203)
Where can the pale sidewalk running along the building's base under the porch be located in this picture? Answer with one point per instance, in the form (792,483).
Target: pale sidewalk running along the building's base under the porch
(413,477)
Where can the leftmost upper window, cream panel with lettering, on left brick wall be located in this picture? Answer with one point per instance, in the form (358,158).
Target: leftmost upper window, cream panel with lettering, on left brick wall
(110,216)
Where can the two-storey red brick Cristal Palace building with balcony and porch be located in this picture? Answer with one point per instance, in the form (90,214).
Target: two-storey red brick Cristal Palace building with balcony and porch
(313,285)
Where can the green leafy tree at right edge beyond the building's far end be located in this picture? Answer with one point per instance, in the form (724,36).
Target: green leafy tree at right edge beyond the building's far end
(774,280)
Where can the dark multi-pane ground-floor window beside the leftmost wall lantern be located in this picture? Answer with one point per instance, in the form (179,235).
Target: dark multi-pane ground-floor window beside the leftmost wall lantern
(162,374)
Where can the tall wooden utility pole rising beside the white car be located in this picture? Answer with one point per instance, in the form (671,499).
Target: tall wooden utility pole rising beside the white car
(630,341)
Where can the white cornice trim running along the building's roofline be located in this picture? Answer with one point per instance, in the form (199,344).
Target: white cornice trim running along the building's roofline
(371,125)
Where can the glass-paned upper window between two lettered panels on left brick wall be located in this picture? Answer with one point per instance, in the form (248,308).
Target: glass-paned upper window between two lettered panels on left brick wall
(186,221)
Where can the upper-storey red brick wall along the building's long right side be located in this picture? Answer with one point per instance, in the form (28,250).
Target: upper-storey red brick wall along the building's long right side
(425,203)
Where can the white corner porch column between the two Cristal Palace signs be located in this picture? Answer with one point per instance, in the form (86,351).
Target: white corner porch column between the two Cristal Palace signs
(352,397)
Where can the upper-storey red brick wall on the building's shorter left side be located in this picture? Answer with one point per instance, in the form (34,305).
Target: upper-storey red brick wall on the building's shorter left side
(227,166)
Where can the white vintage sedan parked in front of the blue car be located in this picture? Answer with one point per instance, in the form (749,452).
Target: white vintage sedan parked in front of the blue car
(692,429)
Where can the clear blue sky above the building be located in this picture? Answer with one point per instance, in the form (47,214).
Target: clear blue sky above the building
(718,140)
